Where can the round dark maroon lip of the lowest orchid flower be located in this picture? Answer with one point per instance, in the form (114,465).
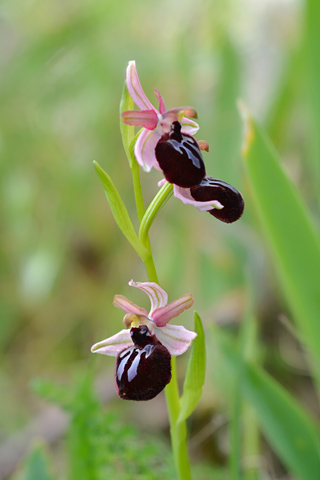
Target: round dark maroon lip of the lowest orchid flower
(143,370)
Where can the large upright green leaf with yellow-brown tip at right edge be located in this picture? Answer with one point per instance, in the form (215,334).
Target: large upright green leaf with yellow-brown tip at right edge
(289,231)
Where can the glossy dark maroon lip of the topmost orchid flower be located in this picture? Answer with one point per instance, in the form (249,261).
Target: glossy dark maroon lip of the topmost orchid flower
(180,158)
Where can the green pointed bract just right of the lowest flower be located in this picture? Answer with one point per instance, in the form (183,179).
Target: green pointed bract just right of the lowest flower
(193,383)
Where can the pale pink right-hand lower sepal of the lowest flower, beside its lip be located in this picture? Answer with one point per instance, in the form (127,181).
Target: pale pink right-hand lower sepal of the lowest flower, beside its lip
(176,338)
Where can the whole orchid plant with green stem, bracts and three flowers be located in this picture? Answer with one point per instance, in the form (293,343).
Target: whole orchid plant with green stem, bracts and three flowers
(147,347)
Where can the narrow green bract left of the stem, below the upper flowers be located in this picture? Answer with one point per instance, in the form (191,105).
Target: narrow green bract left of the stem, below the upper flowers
(120,212)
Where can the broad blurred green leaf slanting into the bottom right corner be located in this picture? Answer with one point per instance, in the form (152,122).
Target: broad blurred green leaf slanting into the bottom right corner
(288,428)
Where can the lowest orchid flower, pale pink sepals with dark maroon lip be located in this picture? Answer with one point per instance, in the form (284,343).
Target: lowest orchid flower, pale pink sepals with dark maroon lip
(144,348)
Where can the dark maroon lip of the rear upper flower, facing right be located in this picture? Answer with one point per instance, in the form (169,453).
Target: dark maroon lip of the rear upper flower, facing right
(231,199)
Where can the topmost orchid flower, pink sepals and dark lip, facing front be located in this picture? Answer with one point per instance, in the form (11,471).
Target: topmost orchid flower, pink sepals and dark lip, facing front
(166,141)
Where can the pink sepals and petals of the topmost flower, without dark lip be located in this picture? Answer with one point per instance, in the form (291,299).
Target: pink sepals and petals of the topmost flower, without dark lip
(155,122)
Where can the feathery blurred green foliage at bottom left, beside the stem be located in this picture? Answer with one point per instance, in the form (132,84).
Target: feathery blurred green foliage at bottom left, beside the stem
(98,444)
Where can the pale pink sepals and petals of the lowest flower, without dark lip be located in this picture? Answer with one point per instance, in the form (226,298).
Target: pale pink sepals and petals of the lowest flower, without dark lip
(175,338)
